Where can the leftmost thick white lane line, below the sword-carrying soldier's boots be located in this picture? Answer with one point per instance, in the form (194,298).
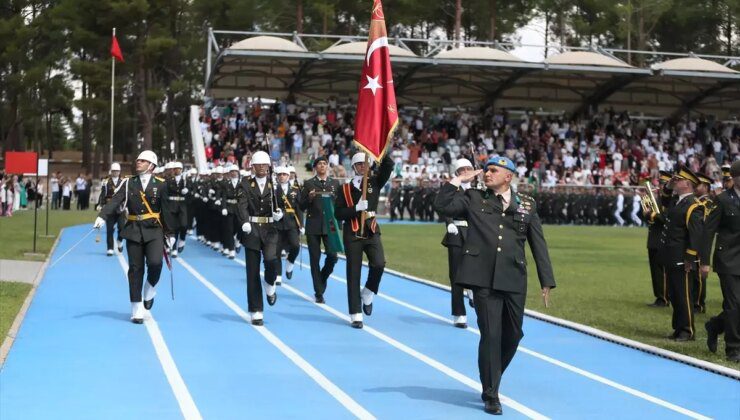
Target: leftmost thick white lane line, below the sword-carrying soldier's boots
(184,399)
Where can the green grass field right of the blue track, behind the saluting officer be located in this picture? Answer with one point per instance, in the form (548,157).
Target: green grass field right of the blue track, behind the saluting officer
(602,275)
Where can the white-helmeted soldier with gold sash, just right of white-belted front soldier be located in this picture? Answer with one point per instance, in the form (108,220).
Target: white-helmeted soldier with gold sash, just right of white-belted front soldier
(290,227)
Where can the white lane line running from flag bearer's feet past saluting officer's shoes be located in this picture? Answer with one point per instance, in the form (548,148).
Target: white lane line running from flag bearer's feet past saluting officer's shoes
(471,383)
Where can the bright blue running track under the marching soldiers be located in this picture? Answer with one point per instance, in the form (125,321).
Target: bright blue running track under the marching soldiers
(77,356)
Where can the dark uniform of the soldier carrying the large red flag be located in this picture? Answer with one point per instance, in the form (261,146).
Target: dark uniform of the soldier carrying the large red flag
(369,244)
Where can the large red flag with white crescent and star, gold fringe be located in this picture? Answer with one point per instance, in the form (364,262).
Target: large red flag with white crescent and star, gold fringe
(377,116)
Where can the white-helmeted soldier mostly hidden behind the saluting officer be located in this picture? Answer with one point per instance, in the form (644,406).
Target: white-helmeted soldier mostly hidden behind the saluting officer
(457,231)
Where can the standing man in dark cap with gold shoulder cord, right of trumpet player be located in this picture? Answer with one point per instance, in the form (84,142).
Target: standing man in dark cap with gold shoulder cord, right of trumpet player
(681,248)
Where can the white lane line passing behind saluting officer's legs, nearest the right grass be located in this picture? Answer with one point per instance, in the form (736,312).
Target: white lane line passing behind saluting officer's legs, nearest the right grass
(548,359)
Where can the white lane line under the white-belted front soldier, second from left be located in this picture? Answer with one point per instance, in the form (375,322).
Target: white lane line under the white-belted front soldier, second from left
(356,409)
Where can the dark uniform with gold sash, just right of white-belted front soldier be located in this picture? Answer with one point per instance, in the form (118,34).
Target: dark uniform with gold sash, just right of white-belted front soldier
(289,226)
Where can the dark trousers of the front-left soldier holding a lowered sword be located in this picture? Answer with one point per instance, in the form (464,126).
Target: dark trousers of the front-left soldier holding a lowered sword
(139,254)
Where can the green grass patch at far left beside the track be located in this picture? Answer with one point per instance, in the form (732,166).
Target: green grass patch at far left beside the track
(16,233)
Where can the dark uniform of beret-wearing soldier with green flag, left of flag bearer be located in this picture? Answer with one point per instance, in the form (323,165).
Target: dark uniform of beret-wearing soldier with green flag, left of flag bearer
(317,230)
